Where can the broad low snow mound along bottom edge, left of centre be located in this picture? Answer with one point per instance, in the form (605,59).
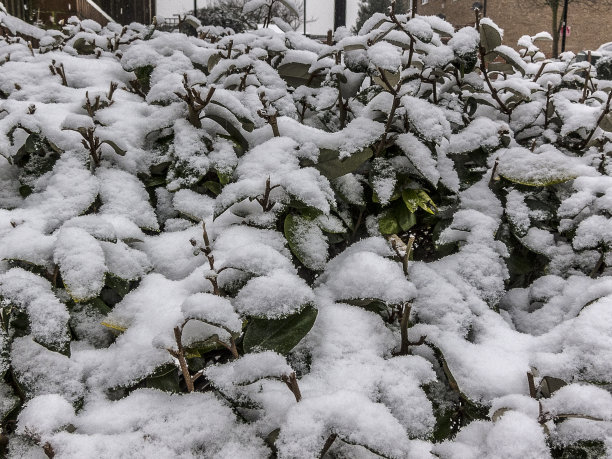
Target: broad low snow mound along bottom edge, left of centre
(125,428)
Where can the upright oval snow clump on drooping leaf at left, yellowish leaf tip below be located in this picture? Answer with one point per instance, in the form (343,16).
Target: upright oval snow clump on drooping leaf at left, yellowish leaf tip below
(81,262)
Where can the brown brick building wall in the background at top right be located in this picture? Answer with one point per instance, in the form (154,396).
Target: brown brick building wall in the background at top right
(591,24)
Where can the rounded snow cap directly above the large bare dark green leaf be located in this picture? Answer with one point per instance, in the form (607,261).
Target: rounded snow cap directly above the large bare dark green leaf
(278,294)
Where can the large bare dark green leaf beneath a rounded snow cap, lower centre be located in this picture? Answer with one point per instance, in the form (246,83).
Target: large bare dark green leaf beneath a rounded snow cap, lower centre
(279,335)
